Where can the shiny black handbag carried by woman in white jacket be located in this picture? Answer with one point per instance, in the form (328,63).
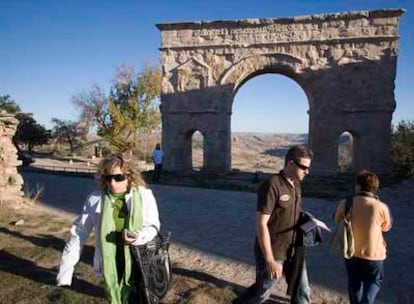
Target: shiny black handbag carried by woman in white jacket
(154,264)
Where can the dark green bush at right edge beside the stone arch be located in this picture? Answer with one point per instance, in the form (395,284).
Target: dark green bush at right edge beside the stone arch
(402,152)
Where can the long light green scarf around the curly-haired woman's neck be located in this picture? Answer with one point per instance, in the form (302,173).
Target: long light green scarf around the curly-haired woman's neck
(118,293)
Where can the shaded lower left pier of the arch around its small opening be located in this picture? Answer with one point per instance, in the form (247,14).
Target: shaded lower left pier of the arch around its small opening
(205,110)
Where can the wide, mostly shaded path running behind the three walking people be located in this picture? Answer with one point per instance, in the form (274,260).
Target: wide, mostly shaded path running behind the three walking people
(213,232)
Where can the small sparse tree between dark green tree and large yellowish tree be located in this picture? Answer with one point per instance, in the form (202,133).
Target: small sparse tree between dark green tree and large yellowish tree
(68,132)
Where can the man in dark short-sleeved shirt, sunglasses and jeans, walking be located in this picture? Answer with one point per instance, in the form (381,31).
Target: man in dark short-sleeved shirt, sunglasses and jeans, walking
(278,207)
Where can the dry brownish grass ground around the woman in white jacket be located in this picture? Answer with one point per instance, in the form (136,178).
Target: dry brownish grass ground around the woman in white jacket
(30,257)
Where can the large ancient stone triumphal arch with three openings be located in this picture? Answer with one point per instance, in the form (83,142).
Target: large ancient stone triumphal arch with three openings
(345,63)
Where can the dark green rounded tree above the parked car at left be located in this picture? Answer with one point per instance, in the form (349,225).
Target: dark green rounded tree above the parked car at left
(29,132)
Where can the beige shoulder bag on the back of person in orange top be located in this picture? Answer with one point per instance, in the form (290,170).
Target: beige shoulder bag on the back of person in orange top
(342,240)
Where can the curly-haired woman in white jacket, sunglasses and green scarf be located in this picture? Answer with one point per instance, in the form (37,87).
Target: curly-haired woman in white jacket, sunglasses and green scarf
(122,213)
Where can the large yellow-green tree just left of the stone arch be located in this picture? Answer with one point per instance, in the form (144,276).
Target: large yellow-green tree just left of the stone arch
(130,109)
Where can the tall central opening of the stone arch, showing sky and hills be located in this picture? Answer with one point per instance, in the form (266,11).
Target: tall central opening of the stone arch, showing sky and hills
(269,115)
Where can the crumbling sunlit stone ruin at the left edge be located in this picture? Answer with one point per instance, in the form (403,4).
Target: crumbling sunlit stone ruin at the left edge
(10,180)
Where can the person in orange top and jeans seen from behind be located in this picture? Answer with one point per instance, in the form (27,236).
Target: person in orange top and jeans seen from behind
(370,218)
